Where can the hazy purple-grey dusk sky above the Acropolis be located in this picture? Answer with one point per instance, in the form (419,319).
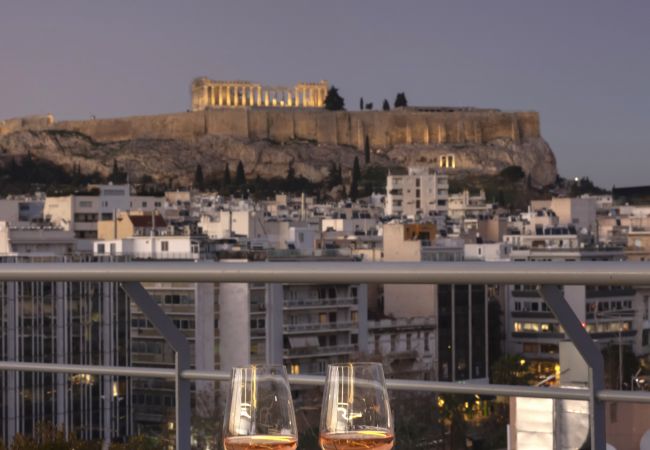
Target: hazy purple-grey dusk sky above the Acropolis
(584,65)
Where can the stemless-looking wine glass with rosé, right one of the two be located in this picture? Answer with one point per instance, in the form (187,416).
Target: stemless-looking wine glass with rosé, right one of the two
(356,413)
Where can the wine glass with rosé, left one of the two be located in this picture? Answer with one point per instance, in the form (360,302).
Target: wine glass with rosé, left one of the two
(259,410)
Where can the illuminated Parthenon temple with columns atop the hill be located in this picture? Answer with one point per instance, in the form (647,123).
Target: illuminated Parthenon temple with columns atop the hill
(207,94)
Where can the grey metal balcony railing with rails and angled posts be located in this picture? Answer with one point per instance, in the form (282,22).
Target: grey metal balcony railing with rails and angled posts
(546,275)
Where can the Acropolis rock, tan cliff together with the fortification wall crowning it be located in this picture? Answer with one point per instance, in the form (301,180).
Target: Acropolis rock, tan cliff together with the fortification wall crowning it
(266,140)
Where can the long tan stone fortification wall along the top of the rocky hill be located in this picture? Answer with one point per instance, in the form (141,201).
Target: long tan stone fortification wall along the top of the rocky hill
(384,129)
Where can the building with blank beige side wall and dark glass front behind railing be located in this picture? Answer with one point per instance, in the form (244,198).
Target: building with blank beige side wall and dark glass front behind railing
(459,311)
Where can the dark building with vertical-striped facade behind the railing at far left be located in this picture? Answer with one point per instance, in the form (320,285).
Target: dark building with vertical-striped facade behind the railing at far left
(65,323)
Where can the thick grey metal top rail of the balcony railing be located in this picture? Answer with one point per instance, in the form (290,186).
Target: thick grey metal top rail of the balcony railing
(556,273)
